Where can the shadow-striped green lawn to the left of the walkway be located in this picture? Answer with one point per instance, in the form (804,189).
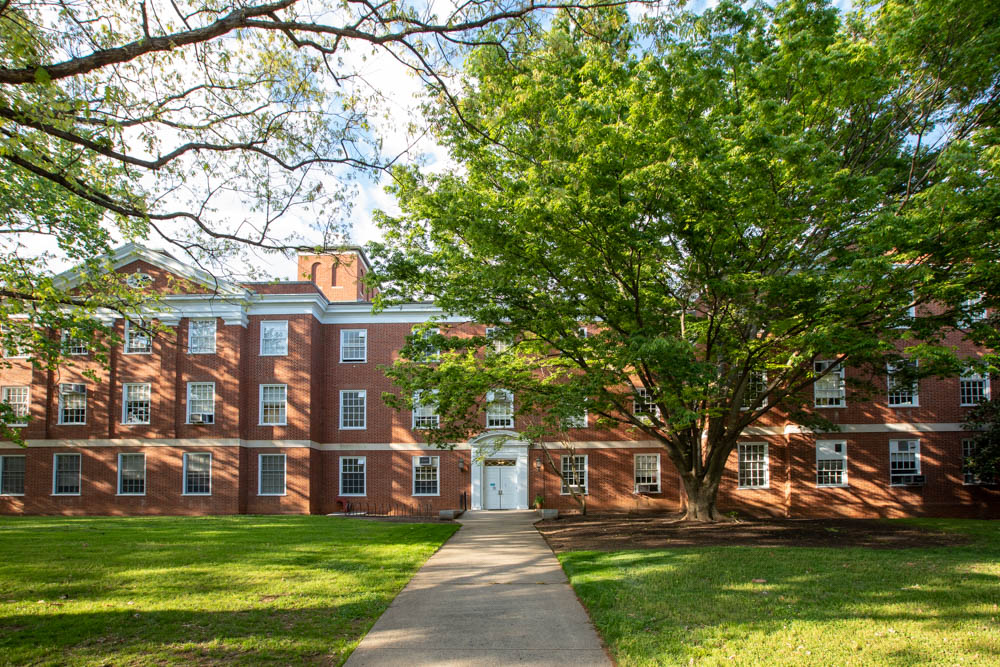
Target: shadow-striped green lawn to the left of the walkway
(169,590)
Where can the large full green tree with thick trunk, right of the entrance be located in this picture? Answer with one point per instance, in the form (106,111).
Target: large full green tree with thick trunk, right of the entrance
(723,200)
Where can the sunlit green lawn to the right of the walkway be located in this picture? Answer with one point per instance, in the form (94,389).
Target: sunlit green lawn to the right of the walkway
(816,606)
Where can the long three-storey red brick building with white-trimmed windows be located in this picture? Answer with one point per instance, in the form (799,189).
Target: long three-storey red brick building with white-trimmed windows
(265,398)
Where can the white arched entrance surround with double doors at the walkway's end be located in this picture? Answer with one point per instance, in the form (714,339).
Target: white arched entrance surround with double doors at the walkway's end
(499,471)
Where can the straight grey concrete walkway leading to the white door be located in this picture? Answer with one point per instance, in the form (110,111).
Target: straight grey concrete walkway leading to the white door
(494,594)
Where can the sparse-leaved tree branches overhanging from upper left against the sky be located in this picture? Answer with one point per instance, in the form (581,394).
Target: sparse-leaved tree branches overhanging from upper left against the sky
(211,126)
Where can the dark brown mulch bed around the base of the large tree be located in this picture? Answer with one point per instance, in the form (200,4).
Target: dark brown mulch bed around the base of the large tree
(618,532)
